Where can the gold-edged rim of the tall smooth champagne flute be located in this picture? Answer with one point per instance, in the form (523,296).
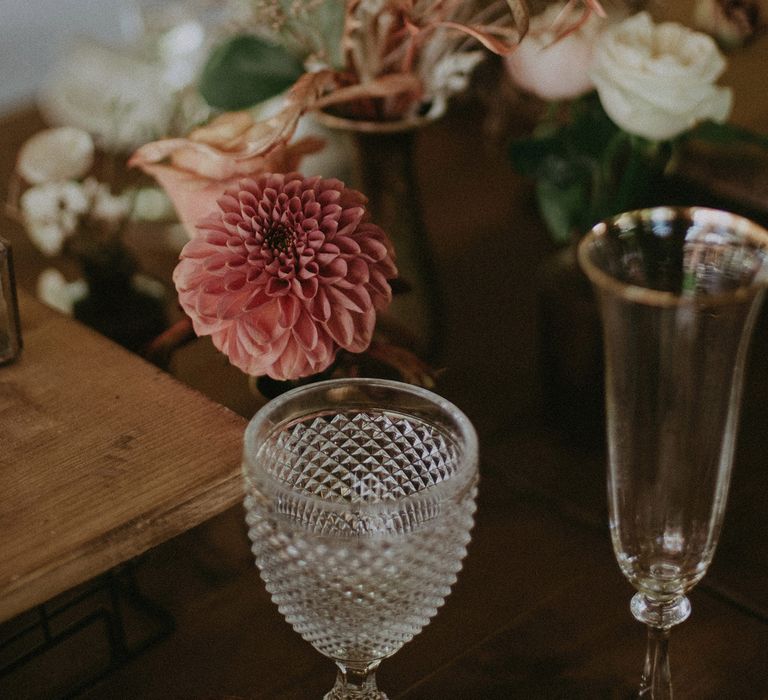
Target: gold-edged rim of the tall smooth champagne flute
(741,225)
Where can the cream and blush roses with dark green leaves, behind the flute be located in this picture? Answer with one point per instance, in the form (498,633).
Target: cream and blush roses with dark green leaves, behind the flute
(626,95)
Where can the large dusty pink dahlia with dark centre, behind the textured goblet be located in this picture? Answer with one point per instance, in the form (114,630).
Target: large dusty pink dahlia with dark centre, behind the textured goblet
(287,273)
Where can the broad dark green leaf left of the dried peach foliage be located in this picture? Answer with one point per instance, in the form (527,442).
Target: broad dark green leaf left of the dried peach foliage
(246,70)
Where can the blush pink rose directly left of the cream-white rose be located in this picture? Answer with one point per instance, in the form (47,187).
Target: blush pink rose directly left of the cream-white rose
(553,66)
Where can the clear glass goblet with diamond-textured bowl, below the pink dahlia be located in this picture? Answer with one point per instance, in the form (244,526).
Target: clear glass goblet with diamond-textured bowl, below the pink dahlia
(360,497)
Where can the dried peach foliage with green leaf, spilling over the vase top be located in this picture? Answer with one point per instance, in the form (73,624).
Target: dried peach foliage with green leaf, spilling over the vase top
(372,60)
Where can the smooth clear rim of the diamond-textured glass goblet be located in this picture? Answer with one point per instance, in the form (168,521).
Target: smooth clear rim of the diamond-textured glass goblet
(453,488)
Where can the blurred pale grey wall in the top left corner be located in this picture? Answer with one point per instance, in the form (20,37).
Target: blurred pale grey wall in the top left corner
(34,32)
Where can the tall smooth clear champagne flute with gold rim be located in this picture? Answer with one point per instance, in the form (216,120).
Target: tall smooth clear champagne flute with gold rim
(679,290)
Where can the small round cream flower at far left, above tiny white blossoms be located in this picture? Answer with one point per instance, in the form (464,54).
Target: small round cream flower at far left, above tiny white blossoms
(55,155)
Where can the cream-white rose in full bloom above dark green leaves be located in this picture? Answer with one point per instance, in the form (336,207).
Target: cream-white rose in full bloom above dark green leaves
(657,80)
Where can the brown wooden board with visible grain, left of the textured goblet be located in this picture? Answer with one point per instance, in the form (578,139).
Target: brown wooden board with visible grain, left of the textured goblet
(102,456)
